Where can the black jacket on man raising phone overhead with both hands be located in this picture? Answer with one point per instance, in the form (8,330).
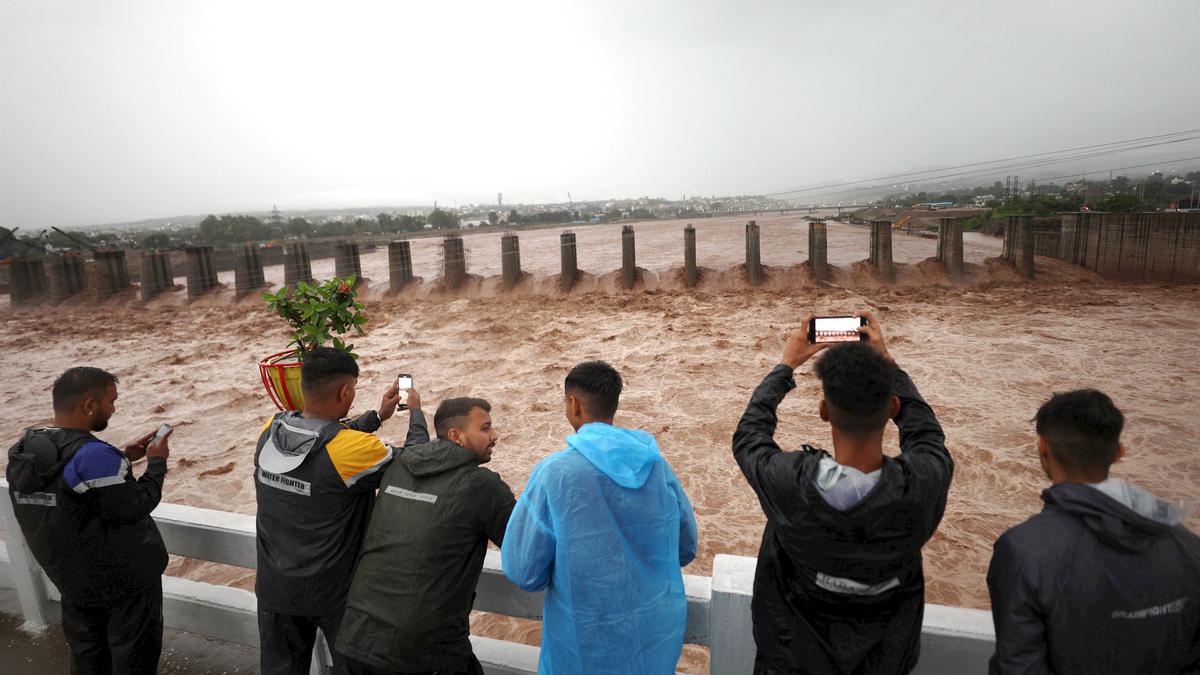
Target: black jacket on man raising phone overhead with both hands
(842,592)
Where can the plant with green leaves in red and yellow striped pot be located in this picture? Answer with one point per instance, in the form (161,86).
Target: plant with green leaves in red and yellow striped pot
(319,314)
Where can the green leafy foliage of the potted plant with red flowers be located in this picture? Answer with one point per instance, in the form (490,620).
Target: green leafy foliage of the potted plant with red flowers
(320,313)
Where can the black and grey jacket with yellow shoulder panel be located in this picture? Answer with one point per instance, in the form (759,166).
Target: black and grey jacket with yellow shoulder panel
(315,482)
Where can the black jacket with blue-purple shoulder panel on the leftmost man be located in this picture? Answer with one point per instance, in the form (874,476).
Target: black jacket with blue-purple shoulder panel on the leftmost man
(97,545)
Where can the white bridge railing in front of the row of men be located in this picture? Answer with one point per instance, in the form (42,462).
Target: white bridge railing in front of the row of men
(953,640)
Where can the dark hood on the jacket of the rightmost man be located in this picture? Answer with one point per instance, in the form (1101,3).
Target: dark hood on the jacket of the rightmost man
(1117,525)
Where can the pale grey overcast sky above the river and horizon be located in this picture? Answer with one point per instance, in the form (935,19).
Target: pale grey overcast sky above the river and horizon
(118,111)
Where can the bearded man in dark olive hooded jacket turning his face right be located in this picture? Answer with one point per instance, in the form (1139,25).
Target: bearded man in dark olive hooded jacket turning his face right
(415,587)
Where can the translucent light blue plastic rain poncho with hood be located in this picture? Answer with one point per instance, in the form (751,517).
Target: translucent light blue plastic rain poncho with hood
(604,527)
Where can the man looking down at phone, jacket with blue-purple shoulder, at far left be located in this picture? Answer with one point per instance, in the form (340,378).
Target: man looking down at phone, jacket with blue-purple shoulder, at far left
(88,523)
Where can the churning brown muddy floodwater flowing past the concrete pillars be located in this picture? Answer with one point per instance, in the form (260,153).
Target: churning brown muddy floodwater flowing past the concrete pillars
(985,354)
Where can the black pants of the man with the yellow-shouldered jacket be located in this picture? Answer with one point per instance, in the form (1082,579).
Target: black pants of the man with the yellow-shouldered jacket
(286,642)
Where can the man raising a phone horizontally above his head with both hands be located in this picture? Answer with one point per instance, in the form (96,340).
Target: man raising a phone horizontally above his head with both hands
(841,587)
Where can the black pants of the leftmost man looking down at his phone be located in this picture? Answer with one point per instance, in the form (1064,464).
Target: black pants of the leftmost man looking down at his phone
(122,637)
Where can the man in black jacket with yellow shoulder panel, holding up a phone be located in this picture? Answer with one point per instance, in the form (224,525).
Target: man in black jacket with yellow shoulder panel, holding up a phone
(315,479)
